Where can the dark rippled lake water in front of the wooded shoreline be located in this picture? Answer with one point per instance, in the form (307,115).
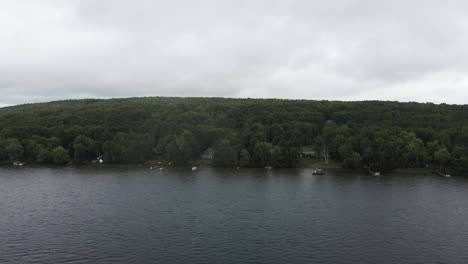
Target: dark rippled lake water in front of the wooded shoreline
(134,215)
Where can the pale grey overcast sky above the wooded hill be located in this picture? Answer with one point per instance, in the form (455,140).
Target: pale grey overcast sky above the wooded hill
(405,50)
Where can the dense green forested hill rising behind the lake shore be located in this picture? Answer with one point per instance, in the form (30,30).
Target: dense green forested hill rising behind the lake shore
(242,132)
